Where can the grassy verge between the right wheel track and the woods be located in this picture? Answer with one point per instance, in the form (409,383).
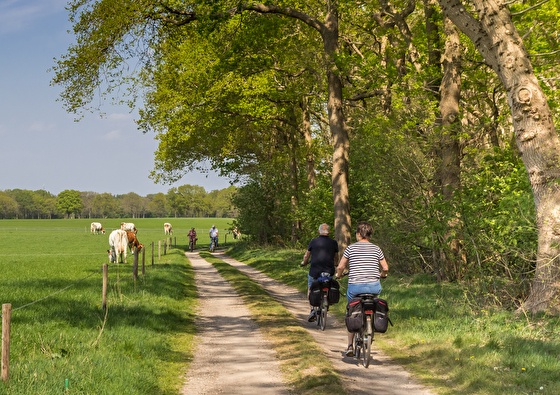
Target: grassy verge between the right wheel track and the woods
(448,343)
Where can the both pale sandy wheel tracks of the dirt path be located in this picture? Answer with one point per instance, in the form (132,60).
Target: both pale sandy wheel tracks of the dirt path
(382,376)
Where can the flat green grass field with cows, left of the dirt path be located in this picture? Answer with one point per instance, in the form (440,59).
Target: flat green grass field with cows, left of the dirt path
(51,274)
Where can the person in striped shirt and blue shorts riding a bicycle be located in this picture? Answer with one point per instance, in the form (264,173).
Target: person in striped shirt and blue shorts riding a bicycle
(366,264)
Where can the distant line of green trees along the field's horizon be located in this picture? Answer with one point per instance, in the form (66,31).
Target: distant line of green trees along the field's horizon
(183,201)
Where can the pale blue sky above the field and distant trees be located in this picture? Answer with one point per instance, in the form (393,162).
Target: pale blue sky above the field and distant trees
(42,147)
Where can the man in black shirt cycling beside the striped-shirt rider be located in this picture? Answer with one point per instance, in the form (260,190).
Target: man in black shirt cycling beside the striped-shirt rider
(324,253)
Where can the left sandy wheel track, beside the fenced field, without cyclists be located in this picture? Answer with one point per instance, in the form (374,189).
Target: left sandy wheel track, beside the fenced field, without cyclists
(231,356)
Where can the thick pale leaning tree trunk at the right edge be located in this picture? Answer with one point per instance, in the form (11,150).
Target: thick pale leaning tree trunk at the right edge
(496,38)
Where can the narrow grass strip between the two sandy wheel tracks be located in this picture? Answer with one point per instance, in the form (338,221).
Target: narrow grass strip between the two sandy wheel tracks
(300,357)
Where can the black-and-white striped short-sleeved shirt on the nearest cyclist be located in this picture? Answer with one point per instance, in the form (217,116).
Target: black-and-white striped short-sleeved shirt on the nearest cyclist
(363,261)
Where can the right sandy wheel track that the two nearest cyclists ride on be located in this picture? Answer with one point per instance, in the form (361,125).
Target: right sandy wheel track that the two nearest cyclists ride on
(383,377)
